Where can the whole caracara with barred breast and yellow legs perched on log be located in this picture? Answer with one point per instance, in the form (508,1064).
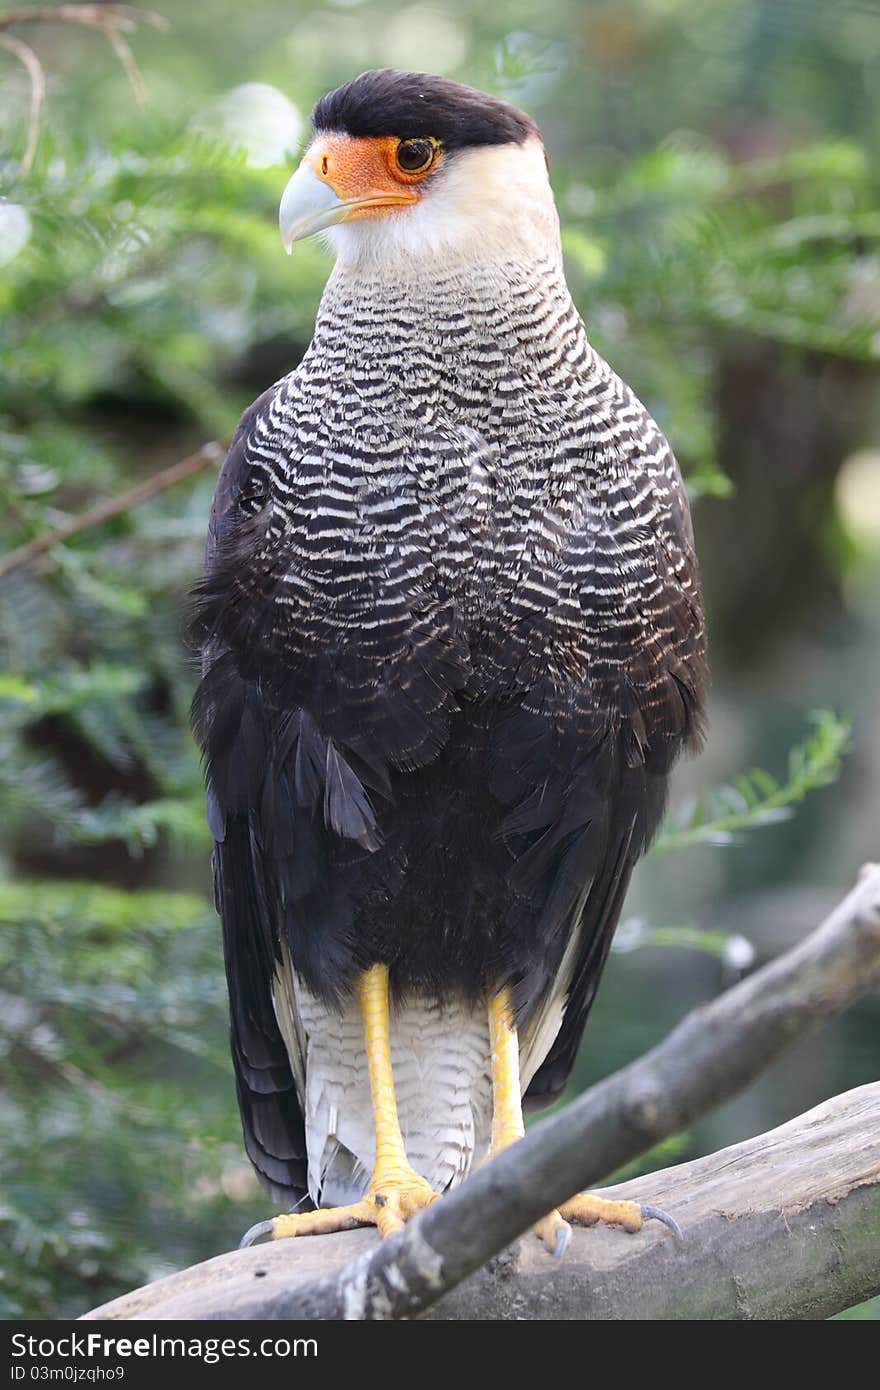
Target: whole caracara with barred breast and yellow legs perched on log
(451,646)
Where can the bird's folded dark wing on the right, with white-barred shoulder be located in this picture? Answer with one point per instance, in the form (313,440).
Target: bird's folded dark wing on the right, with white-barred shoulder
(639,710)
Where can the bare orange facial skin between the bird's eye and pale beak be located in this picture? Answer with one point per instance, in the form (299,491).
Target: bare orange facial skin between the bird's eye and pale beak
(365,172)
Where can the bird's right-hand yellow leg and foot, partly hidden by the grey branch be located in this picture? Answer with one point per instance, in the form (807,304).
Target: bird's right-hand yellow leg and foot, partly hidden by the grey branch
(585,1210)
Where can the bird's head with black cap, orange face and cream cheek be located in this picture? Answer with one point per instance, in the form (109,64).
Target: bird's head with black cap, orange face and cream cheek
(405,165)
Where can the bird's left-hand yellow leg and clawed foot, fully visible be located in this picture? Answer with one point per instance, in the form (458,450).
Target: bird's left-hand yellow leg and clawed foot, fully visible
(397,1192)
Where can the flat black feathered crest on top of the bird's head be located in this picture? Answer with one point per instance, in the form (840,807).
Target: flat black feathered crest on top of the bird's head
(409,105)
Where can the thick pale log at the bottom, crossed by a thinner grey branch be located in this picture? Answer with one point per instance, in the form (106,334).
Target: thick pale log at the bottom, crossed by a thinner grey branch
(783,1227)
